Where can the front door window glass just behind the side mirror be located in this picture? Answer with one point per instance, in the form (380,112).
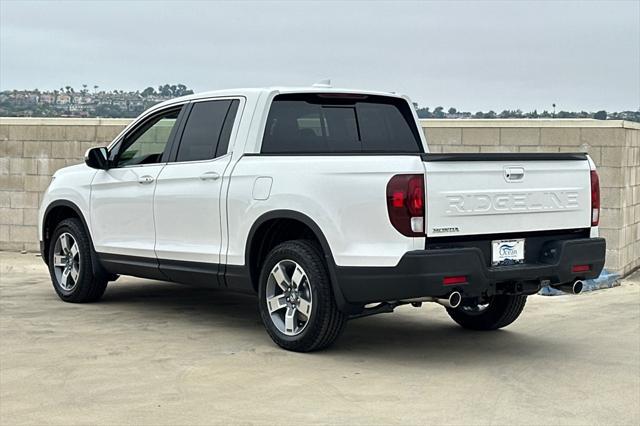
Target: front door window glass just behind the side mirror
(147,143)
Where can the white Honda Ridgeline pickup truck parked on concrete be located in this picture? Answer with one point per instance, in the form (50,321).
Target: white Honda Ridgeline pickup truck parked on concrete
(326,203)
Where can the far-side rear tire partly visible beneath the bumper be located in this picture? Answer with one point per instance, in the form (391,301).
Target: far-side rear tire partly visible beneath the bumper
(501,311)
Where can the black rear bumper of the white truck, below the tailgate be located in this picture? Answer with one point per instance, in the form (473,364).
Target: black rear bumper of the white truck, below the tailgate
(420,273)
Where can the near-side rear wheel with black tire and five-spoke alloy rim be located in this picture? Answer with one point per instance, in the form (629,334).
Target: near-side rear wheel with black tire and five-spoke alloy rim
(296,301)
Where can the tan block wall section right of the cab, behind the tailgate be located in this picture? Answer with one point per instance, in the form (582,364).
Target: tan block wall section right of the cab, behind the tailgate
(613,145)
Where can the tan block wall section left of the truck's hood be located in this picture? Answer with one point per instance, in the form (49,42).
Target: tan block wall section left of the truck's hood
(31,150)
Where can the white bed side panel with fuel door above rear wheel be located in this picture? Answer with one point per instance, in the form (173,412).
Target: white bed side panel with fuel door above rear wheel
(344,195)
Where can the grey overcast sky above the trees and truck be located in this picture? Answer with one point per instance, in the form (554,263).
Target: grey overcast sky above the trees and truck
(472,55)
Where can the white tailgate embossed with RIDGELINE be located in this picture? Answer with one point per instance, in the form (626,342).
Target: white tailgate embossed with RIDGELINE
(471,194)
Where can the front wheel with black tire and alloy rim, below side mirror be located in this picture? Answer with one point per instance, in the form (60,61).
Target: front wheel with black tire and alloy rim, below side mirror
(70,264)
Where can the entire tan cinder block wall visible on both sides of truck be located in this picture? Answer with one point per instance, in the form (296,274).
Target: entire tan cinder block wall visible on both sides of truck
(31,149)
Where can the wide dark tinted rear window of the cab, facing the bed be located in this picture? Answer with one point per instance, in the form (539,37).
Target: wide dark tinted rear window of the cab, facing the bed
(336,123)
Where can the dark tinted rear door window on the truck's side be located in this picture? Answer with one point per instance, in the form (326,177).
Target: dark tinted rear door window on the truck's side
(207,130)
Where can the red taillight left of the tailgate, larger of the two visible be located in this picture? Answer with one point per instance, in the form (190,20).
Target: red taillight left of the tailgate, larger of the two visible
(405,203)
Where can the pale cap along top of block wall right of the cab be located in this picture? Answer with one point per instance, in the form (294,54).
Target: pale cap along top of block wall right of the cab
(527,122)
